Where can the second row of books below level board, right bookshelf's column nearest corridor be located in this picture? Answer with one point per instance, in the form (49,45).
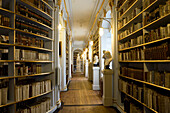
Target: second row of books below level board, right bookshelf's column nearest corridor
(131,89)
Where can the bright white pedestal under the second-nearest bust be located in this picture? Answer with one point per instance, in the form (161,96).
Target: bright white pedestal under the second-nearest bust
(96,78)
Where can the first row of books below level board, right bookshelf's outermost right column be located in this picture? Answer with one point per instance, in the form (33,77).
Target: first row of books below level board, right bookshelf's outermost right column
(161,78)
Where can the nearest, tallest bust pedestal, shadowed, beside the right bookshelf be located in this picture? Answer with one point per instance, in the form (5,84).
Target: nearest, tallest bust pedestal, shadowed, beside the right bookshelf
(107,87)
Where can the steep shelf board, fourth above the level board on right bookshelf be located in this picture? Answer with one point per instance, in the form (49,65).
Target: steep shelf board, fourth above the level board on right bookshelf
(134,5)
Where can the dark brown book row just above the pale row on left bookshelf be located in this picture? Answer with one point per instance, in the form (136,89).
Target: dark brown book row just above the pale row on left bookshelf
(29,41)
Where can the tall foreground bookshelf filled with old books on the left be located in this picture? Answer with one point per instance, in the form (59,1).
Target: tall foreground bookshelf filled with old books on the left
(26,52)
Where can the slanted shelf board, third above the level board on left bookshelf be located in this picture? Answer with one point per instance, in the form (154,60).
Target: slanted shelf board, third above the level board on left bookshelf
(30,19)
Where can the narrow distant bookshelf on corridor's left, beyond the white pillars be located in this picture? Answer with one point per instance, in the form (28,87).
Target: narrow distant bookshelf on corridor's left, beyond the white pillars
(67,56)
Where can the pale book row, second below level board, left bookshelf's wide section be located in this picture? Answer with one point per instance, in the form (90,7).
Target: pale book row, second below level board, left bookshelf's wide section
(26,89)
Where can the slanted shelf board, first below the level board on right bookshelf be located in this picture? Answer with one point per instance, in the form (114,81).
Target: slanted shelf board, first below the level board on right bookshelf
(144,82)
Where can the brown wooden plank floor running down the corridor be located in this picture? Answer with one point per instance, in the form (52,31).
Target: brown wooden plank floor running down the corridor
(80,98)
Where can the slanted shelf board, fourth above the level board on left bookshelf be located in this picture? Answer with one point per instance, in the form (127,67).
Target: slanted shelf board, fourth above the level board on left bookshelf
(27,4)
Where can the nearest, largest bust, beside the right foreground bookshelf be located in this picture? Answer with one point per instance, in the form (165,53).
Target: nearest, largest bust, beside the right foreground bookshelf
(107,59)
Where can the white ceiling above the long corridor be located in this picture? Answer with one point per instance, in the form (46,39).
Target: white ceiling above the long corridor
(82,13)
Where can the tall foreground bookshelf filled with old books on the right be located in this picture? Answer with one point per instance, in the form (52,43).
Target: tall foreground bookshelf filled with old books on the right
(143,37)
